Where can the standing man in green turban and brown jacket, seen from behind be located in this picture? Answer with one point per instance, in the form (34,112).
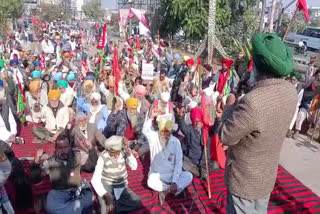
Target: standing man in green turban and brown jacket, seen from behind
(256,129)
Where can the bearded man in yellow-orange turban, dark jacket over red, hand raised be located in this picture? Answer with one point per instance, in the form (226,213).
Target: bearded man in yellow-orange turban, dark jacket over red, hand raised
(128,123)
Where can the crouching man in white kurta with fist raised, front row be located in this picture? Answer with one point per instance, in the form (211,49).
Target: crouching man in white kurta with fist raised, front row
(165,175)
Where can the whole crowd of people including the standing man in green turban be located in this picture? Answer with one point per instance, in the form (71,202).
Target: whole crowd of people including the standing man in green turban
(100,121)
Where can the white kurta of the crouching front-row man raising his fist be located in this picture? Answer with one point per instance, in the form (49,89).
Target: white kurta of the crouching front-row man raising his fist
(166,162)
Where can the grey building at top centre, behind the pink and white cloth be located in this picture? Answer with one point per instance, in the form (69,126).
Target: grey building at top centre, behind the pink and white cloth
(149,6)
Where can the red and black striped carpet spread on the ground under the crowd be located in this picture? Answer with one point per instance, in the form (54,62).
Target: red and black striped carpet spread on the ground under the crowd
(288,196)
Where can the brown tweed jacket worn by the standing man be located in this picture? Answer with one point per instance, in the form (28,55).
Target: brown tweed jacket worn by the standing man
(255,133)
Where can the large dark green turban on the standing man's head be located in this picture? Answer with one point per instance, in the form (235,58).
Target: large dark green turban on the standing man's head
(271,55)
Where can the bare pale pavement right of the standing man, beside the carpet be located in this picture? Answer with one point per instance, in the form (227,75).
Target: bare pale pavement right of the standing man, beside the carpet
(302,159)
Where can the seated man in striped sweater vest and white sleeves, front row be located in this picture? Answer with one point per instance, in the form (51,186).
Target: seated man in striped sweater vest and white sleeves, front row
(110,177)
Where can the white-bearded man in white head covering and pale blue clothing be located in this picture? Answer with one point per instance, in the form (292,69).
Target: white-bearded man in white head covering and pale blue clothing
(98,113)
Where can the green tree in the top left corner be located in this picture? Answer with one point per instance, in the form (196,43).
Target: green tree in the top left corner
(12,9)
